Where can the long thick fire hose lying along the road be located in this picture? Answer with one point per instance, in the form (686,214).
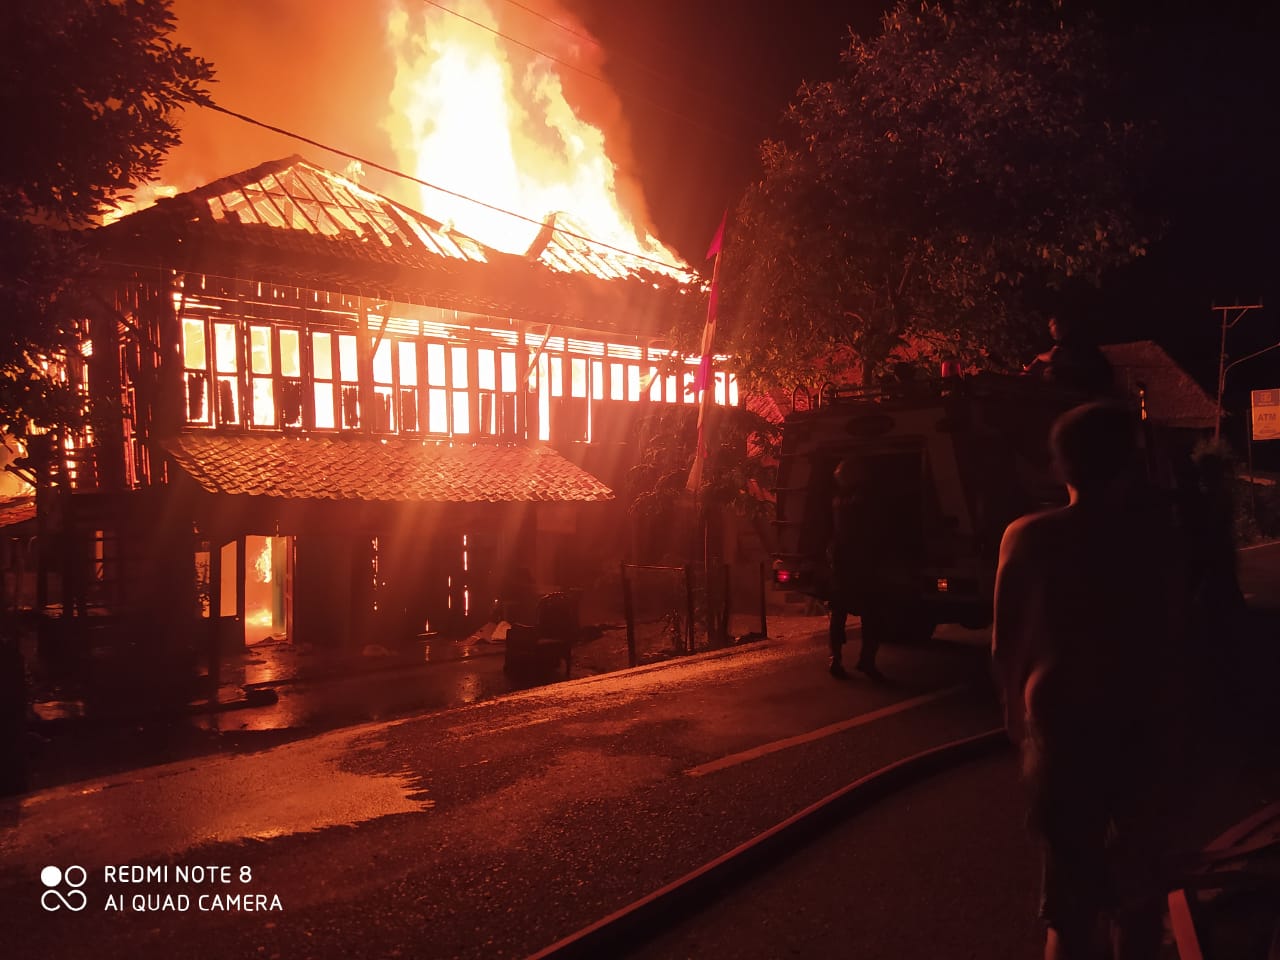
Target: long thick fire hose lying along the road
(643,920)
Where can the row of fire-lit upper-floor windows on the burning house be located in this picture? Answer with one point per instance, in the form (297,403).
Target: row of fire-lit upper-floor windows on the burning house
(272,377)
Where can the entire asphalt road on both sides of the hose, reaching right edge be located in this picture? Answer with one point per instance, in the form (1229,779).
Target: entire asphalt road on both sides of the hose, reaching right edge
(497,829)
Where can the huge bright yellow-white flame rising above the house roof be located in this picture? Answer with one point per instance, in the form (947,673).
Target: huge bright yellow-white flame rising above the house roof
(468,116)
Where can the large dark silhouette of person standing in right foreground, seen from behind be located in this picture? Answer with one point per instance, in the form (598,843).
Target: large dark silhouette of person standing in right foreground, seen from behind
(1087,651)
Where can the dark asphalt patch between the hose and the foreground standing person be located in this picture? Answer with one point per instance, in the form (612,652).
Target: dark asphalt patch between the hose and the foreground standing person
(964,886)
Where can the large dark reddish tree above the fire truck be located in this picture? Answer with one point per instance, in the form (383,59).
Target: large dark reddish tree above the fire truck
(958,172)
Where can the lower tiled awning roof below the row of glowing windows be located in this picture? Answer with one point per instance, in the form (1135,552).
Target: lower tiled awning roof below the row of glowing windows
(392,470)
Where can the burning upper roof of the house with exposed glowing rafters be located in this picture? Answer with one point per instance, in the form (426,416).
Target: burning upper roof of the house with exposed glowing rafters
(292,222)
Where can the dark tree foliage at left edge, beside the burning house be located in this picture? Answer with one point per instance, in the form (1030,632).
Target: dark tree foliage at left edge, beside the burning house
(89,94)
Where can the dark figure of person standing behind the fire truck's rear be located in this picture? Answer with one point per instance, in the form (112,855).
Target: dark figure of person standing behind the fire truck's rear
(853,564)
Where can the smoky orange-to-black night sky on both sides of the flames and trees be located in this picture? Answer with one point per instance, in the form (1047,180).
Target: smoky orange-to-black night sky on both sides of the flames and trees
(702,84)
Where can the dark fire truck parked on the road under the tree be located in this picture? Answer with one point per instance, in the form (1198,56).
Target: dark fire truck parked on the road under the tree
(950,463)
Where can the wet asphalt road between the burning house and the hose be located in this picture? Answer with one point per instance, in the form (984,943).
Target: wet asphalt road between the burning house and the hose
(487,831)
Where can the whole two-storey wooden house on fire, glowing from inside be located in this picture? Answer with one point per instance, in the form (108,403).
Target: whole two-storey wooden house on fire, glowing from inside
(339,420)
